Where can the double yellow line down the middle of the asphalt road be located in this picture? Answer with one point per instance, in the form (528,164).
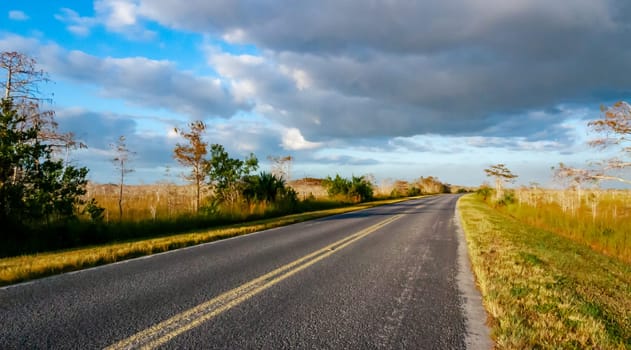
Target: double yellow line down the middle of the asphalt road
(166,330)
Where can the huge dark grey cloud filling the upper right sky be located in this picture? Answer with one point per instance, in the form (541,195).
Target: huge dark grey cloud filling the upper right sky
(406,68)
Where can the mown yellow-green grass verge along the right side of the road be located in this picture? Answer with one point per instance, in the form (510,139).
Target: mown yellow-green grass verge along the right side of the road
(543,290)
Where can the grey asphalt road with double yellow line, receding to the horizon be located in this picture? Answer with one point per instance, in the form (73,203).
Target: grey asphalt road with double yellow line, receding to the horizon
(392,277)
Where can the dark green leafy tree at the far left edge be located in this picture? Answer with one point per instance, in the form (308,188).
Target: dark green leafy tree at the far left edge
(35,188)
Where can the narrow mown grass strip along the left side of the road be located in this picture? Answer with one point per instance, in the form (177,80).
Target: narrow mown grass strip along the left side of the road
(27,267)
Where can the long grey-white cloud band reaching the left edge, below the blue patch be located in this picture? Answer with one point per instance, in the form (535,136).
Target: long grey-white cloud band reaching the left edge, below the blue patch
(139,81)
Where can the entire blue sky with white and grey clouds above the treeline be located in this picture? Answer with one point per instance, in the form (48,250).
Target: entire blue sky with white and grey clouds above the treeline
(395,89)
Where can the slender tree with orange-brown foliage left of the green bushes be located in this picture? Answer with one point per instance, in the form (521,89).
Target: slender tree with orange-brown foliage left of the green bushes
(193,155)
